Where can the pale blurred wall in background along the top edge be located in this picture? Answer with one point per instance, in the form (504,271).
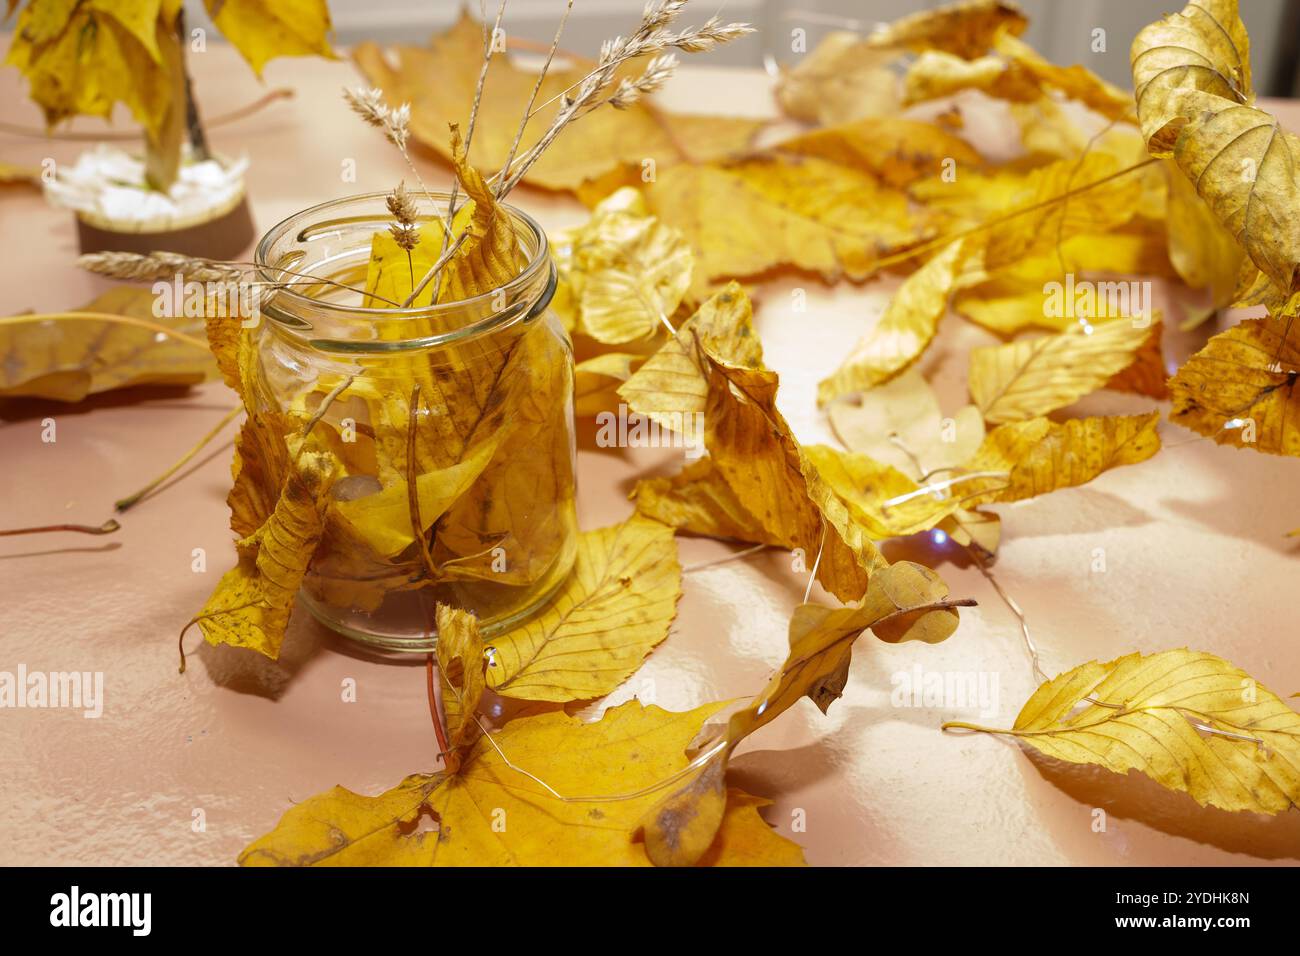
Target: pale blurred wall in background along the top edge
(1060,29)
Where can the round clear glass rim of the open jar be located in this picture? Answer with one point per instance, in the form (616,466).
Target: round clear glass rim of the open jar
(540,261)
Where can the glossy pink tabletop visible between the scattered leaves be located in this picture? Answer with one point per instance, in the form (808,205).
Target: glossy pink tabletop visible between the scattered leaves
(1194,544)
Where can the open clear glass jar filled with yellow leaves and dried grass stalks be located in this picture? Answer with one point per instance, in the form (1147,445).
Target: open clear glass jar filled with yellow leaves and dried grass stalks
(489,445)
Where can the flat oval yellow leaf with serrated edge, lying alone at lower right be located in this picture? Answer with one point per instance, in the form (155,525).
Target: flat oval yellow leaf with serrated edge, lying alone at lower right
(1188,720)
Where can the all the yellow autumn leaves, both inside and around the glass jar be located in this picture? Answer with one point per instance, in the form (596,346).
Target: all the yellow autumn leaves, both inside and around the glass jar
(1184,179)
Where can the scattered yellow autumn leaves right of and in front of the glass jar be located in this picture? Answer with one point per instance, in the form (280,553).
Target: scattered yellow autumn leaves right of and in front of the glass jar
(649,291)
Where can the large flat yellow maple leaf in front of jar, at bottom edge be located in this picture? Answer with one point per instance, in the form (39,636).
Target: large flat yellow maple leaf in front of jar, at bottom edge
(493,816)
